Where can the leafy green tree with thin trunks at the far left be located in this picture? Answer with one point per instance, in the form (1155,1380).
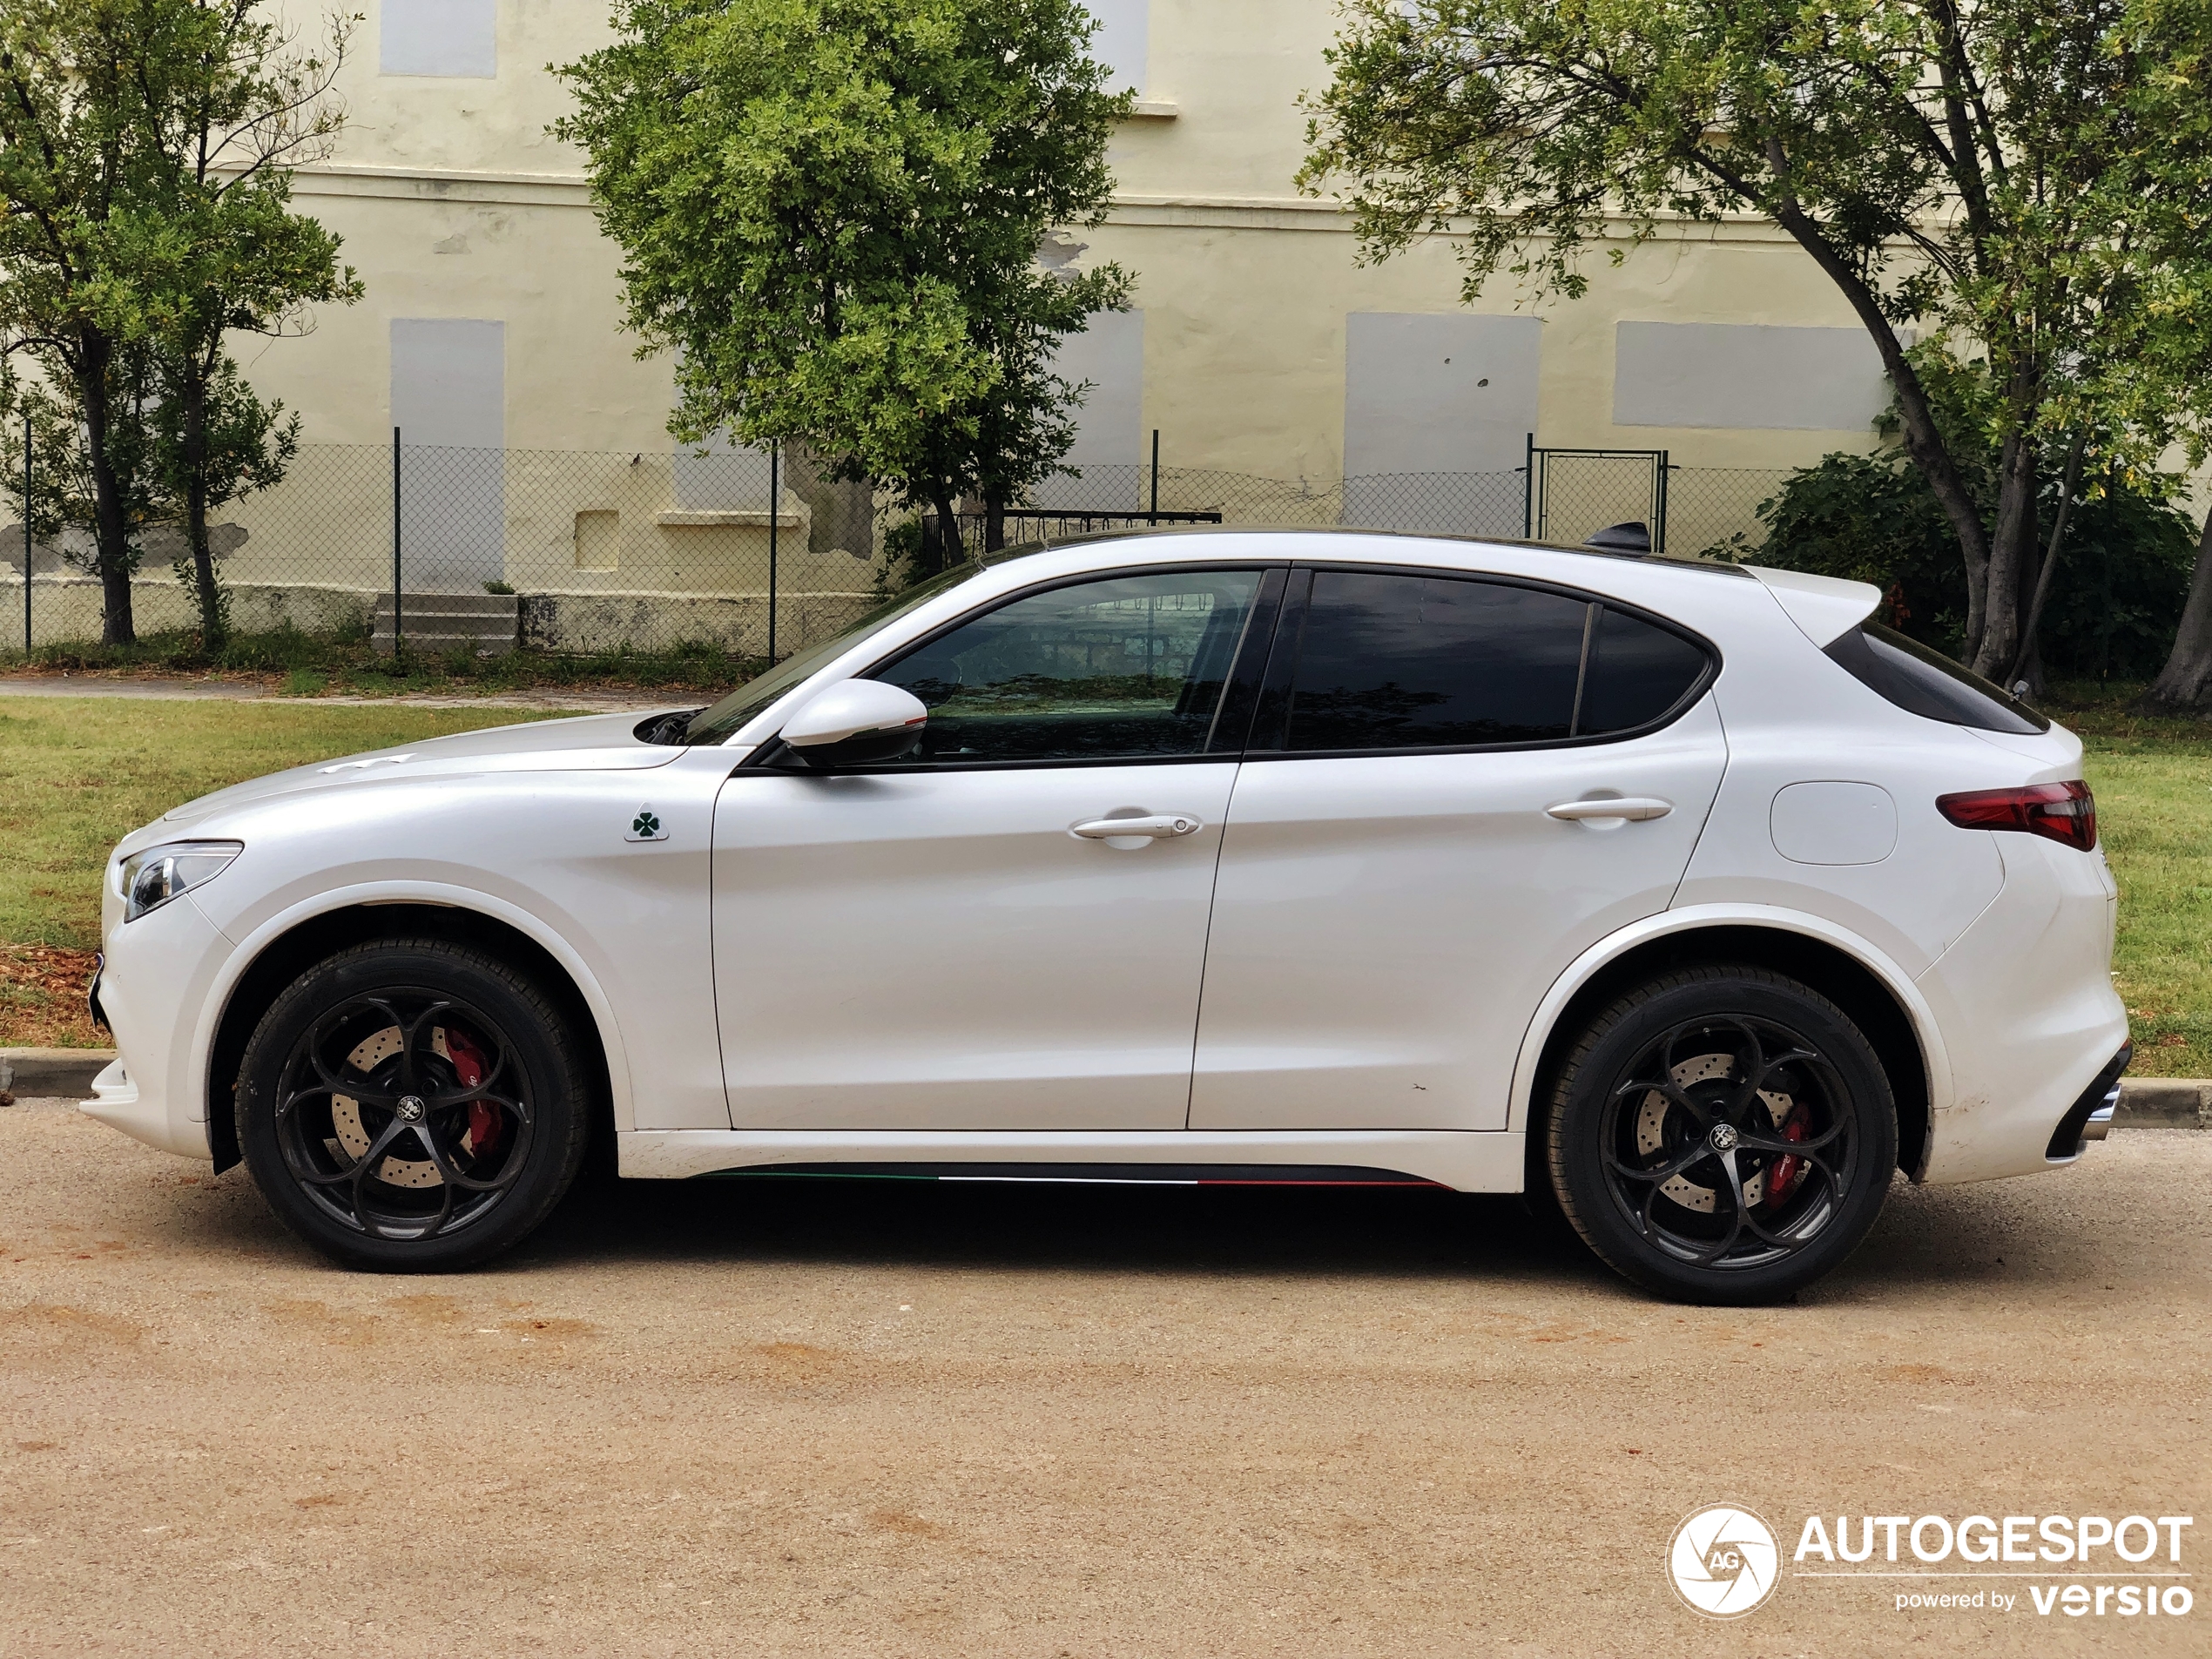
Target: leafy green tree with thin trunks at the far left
(145,218)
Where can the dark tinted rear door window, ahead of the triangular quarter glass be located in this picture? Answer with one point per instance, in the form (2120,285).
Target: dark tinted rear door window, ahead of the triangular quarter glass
(1415,662)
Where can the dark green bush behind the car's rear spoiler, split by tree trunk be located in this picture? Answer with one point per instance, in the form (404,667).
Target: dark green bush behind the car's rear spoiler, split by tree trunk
(2116,601)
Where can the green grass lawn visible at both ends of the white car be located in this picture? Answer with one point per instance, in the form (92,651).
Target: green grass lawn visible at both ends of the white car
(76,775)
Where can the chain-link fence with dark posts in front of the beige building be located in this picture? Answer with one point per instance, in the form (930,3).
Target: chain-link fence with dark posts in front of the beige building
(589,552)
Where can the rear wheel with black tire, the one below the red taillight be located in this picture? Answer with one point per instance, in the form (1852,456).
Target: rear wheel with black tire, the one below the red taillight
(1757,1158)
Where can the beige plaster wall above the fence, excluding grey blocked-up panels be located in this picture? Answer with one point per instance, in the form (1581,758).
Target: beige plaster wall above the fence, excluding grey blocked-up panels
(457,205)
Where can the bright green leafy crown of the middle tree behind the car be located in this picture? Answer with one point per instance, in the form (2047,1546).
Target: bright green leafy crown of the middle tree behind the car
(831,213)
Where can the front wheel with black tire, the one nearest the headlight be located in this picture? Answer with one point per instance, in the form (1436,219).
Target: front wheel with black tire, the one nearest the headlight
(413,1107)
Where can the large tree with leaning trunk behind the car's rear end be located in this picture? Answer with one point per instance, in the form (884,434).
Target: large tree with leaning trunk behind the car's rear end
(2023,182)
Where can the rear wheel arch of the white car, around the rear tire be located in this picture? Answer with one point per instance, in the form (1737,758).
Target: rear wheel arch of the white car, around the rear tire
(1861,981)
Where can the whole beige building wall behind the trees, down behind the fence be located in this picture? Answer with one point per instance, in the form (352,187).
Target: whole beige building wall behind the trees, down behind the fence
(457,207)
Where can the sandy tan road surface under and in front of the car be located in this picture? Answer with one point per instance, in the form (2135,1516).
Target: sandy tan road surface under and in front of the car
(979,1421)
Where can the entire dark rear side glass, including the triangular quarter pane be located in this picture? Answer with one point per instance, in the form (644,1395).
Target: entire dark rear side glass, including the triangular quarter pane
(1390,660)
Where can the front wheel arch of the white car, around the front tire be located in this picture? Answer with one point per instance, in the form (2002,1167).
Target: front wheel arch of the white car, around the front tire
(300,943)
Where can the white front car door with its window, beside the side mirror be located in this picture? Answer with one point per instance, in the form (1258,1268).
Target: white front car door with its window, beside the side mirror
(966,941)
